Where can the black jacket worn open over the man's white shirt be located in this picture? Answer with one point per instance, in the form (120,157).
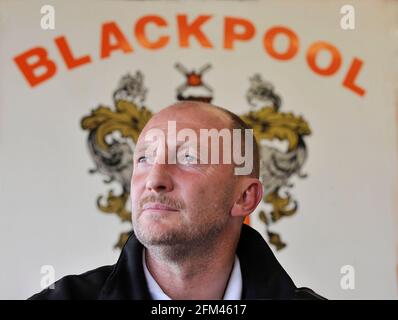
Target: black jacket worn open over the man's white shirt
(262,275)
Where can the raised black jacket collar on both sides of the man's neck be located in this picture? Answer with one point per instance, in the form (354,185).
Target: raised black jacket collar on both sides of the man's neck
(263,277)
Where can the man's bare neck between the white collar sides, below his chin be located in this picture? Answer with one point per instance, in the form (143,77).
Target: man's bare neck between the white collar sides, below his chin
(195,276)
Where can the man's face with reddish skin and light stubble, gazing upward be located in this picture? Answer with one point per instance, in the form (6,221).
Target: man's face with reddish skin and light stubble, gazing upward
(181,203)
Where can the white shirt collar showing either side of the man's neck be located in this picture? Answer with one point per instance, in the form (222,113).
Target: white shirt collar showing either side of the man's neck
(232,292)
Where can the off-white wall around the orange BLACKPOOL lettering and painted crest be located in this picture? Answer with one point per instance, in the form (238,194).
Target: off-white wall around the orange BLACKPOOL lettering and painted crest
(347,212)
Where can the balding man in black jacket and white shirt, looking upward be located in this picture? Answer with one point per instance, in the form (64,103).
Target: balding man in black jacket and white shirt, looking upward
(189,240)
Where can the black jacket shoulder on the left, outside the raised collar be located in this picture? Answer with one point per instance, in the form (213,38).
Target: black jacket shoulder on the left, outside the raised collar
(85,286)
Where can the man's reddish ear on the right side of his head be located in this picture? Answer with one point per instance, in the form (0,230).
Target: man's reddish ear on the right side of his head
(250,196)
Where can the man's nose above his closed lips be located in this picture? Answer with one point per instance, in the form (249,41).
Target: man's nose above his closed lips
(159,178)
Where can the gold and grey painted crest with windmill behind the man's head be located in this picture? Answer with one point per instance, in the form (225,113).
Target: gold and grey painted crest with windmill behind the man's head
(113,133)
